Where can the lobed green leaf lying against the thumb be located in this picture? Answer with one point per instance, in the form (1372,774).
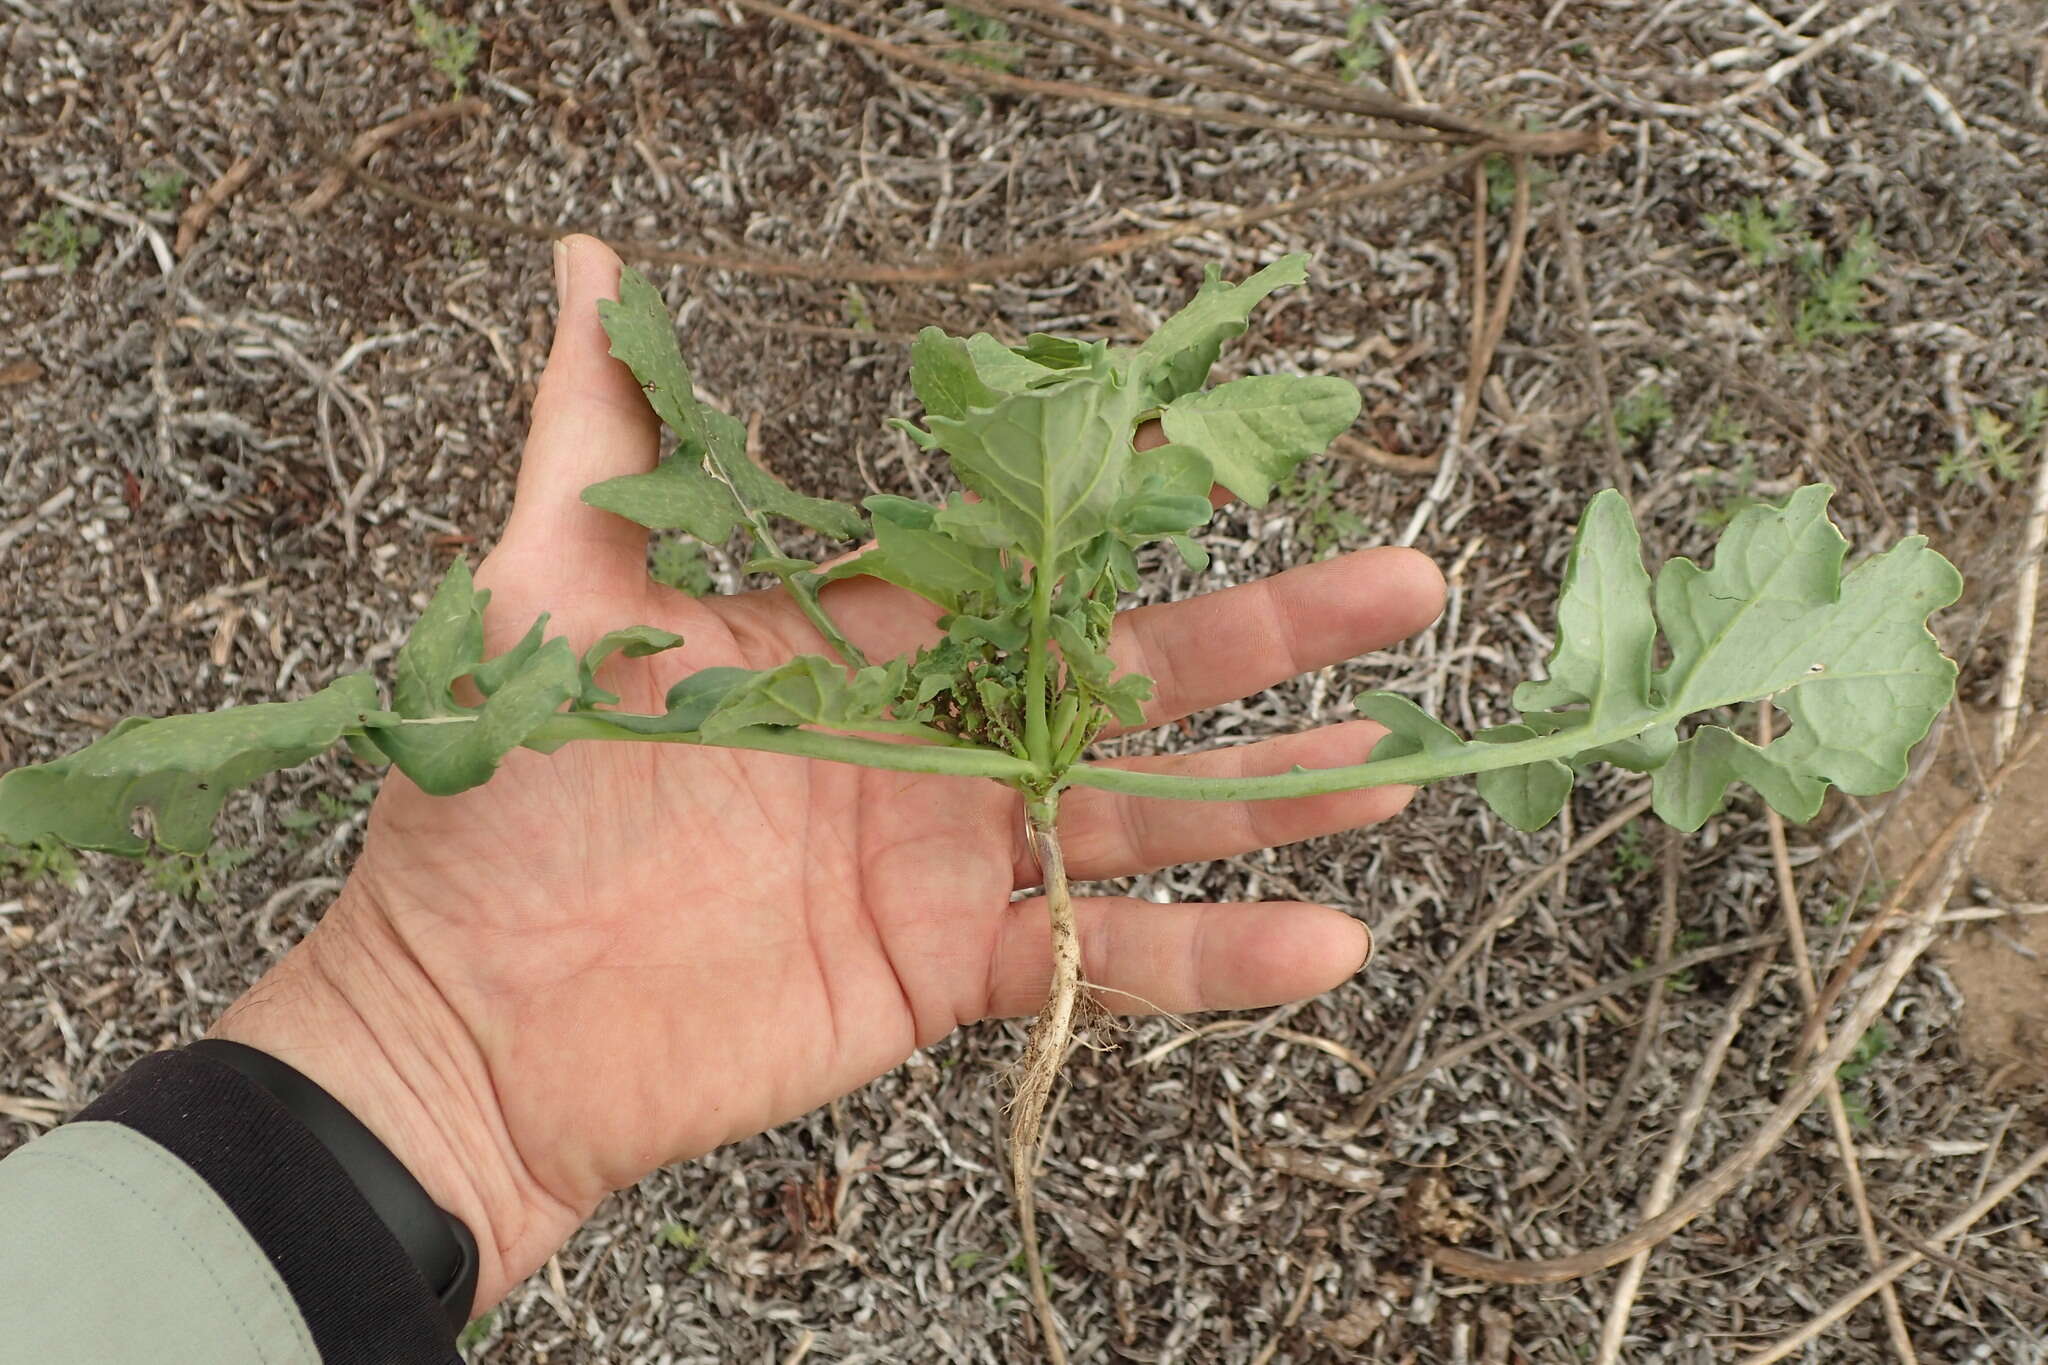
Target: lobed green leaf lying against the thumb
(646,341)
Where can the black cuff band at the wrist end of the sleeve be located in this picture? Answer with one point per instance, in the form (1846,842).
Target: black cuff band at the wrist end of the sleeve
(361,1296)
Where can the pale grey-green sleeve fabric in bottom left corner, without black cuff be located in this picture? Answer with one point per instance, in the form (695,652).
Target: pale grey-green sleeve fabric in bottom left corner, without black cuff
(116,1251)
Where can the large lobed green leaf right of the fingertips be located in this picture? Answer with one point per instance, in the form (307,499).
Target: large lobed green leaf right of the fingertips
(1773,621)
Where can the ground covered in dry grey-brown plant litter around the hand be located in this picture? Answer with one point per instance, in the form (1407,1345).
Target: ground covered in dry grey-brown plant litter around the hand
(232,470)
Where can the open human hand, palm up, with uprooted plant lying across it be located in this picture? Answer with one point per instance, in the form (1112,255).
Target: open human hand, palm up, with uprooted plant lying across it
(620,957)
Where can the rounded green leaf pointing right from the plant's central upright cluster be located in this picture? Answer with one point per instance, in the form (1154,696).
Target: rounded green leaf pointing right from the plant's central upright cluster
(1258,431)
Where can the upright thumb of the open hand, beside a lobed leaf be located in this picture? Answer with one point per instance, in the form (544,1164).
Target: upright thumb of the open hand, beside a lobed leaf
(591,423)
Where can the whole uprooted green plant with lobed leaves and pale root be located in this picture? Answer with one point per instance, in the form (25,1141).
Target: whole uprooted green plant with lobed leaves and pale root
(1027,574)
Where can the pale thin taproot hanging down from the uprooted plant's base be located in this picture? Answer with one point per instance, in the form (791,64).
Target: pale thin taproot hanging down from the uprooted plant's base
(1043,1057)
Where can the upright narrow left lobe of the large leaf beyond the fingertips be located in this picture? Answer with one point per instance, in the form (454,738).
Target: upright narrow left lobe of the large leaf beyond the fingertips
(1605,625)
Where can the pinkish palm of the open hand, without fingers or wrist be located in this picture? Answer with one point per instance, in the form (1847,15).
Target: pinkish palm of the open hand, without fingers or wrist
(765,930)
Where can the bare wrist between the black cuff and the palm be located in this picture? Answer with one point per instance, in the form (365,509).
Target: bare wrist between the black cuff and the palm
(355,1012)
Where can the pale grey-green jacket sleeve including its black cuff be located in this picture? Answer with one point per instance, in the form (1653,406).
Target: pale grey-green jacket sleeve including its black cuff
(187,1217)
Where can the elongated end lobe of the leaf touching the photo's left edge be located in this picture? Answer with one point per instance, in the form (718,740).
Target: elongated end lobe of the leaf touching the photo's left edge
(181,770)
